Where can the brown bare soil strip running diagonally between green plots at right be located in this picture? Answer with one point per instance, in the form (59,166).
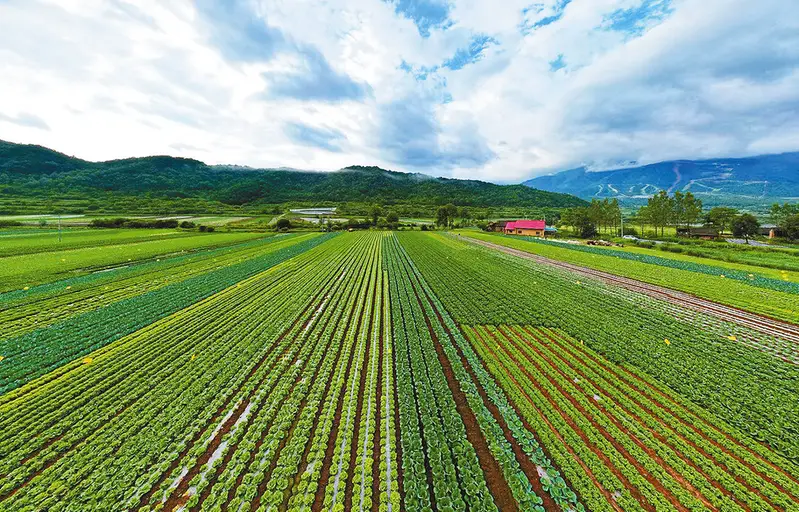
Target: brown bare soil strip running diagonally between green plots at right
(766,325)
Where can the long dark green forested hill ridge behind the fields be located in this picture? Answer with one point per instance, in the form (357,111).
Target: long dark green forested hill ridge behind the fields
(27,171)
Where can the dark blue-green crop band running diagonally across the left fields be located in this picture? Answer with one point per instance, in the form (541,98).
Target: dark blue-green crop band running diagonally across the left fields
(35,353)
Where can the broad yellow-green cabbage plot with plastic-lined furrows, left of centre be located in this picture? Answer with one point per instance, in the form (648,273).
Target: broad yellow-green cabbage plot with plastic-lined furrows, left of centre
(218,404)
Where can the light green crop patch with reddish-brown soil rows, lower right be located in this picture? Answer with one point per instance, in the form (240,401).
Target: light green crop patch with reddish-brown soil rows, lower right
(624,445)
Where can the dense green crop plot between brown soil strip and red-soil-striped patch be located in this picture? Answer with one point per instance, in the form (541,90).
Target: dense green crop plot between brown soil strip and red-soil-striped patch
(751,390)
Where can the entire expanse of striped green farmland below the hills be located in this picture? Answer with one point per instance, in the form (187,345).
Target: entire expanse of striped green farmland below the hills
(381,371)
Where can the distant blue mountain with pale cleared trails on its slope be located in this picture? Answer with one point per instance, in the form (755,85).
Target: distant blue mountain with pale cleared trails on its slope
(743,181)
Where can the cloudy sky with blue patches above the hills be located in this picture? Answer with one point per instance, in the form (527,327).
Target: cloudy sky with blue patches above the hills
(500,90)
